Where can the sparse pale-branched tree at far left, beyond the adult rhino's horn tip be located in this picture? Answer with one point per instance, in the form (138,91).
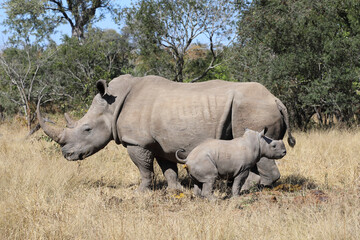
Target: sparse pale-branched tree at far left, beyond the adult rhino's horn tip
(25,78)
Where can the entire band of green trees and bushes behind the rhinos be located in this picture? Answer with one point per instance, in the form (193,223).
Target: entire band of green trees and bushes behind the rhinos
(306,52)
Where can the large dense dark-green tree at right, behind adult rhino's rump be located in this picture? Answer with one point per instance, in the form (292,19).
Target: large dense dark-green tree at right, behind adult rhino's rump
(305,52)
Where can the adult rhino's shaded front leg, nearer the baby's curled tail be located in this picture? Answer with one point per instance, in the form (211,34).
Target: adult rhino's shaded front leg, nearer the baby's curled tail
(170,172)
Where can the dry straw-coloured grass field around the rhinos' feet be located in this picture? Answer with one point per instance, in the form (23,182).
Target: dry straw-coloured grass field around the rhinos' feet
(43,196)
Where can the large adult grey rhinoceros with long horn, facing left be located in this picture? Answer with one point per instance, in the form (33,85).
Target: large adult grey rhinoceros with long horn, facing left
(154,117)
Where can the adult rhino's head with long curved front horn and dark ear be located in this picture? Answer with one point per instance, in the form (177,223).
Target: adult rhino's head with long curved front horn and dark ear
(88,135)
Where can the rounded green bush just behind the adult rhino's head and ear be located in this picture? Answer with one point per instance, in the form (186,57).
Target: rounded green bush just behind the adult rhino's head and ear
(78,65)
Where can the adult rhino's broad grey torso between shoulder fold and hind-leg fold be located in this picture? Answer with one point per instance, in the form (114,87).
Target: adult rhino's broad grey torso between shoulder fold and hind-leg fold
(173,114)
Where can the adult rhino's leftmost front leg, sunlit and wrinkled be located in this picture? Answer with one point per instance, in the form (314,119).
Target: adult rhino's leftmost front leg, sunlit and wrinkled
(144,160)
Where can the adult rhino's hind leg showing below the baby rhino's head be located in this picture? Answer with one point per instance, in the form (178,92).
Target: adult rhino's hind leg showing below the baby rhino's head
(268,171)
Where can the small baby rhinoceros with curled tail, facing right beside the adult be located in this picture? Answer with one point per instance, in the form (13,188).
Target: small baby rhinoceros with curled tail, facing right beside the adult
(230,159)
